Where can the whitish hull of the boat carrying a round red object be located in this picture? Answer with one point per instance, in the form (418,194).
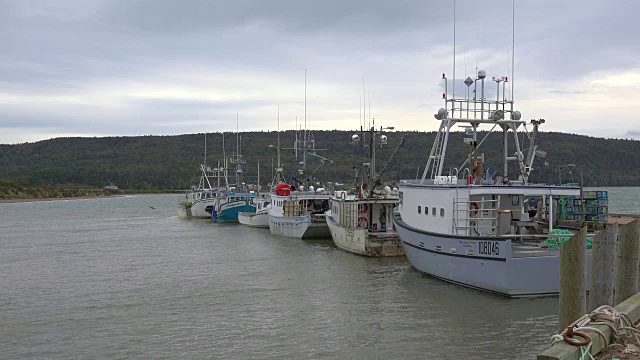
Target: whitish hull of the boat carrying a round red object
(299,227)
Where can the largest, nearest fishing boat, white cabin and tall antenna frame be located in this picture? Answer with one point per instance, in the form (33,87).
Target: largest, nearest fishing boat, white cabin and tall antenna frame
(472,227)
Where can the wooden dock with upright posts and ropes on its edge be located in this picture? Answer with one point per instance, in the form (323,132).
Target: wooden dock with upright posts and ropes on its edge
(615,271)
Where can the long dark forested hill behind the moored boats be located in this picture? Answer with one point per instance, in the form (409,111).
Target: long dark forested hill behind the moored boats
(172,162)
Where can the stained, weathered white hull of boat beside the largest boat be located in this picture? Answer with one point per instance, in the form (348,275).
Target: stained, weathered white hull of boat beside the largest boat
(363,242)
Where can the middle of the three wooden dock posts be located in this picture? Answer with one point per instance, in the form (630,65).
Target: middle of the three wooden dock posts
(603,267)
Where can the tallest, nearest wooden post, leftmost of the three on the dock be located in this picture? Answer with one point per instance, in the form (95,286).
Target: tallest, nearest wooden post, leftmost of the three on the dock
(573,279)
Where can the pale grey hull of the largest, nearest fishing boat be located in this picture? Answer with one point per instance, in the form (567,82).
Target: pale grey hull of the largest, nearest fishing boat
(489,264)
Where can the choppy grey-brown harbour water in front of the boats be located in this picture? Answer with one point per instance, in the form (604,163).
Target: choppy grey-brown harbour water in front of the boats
(113,278)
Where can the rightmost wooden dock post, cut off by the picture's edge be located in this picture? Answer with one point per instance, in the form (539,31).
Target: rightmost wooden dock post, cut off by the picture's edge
(628,261)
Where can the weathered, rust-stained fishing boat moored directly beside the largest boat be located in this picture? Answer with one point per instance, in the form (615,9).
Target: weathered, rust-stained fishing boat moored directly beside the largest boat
(362,222)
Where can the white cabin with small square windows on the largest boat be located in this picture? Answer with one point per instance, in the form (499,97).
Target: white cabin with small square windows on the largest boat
(458,208)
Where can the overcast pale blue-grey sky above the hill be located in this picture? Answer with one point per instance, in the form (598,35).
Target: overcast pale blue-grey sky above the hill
(165,67)
